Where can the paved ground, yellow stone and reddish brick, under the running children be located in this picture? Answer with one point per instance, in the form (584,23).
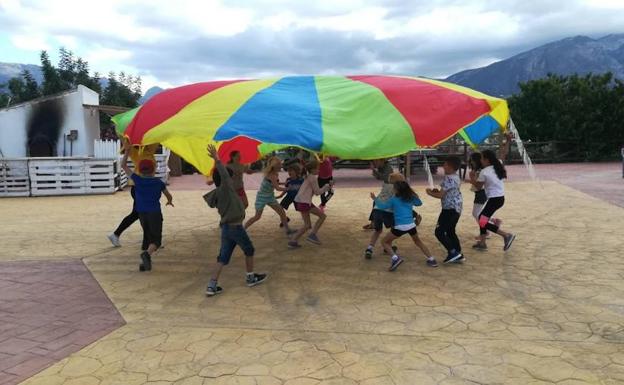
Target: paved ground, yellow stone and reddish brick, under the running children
(549,311)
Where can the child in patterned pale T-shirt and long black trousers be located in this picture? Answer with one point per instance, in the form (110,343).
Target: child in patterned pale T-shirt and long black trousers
(451,199)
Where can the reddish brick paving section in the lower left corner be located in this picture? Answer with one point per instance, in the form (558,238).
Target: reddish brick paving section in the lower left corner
(48,310)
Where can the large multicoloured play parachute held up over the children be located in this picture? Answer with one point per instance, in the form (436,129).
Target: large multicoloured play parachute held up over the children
(355,117)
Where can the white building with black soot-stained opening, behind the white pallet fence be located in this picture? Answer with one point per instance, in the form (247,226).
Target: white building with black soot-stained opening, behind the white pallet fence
(56,125)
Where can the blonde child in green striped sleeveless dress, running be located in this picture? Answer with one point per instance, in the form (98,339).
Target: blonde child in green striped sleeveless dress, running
(266,194)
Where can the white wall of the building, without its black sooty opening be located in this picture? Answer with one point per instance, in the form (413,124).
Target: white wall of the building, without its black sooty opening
(14,122)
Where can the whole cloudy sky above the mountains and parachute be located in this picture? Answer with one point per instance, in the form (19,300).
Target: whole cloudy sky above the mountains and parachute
(176,42)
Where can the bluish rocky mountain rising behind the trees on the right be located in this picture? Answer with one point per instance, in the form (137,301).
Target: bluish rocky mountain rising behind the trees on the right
(580,55)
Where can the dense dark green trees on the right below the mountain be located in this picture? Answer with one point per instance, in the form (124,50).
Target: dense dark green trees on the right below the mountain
(587,110)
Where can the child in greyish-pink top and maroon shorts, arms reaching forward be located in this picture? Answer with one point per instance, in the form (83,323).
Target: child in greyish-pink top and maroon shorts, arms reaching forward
(303,204)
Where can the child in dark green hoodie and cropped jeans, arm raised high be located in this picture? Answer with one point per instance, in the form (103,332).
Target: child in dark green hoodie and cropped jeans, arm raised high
(232,211)
